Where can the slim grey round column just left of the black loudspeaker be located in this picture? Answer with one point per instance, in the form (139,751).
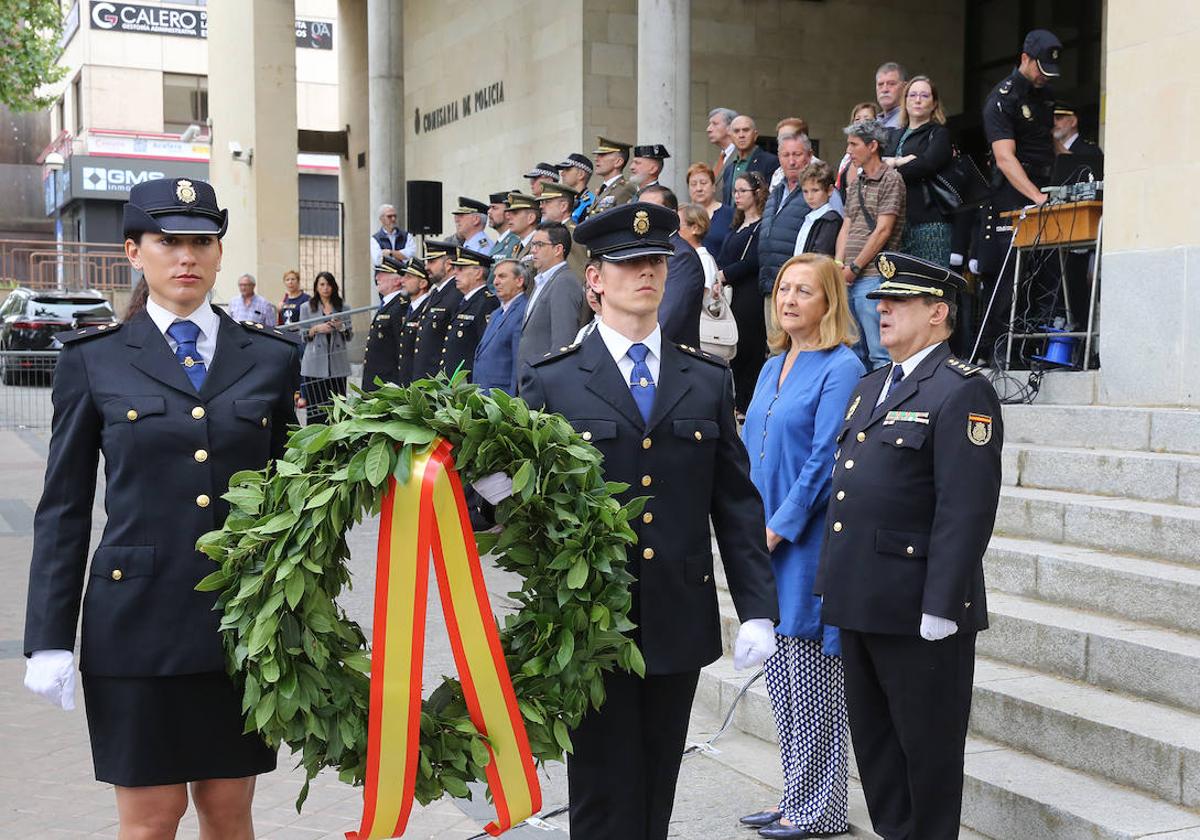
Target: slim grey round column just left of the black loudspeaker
(386,81)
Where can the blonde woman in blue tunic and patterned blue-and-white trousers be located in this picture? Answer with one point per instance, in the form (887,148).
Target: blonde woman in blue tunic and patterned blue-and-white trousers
(791,433)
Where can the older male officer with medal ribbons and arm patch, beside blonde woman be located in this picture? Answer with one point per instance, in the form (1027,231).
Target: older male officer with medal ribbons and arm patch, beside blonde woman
(915,493)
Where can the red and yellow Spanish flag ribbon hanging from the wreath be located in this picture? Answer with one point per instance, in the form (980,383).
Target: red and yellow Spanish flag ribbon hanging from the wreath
(423,517)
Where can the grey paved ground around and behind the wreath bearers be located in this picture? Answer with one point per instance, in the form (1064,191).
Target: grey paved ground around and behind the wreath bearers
(47,788)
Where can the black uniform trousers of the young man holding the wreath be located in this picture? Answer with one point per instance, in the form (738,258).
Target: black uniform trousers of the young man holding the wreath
(623,771)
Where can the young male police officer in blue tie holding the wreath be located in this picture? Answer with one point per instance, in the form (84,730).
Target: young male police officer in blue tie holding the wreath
(663,417)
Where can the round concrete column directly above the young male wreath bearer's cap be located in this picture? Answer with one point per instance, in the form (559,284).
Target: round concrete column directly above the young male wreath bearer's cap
(664,83)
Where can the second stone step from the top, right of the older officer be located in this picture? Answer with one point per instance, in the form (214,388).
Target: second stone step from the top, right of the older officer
(1149,477)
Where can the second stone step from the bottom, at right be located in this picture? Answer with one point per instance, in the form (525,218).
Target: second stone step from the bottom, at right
(1147,746)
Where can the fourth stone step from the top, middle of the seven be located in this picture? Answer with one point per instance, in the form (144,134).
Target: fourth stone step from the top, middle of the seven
(1153,592)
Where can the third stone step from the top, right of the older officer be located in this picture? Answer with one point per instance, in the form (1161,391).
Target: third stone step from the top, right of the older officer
(1167,532)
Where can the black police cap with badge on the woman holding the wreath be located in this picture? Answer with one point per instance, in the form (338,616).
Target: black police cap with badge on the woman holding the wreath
(175,206)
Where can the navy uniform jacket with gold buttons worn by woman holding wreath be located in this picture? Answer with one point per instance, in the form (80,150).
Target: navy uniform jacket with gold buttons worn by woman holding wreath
(169,457)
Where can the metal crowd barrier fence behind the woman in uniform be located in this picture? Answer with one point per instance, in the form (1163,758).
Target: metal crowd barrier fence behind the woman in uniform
(332,367)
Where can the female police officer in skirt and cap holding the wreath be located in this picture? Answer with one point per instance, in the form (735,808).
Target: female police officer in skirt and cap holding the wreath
(177,400)
